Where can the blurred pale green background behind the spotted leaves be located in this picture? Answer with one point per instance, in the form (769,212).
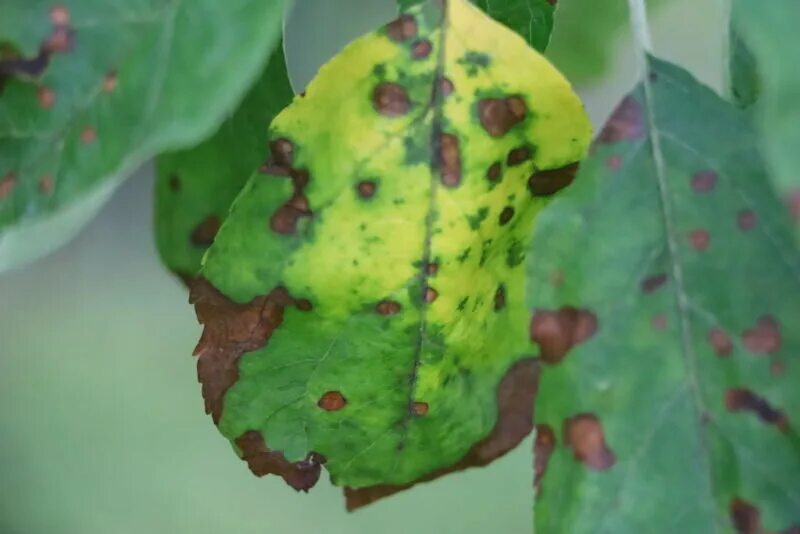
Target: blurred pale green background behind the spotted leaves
(101,422)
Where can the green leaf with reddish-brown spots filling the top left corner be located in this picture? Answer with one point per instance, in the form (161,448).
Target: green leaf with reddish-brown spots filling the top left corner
(91,89)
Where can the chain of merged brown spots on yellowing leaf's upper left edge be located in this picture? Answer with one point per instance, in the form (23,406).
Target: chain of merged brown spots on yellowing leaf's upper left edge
(284,220)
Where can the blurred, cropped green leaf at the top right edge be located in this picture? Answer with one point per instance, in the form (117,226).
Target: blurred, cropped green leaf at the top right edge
(769,30)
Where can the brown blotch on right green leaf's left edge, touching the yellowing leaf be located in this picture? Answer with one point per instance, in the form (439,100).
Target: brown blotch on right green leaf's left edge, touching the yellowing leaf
(558,331)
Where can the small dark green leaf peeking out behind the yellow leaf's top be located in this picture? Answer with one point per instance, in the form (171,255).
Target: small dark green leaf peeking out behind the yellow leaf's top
(532,19)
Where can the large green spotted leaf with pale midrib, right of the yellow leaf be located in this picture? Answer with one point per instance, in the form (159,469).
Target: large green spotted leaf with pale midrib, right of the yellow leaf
(665,310)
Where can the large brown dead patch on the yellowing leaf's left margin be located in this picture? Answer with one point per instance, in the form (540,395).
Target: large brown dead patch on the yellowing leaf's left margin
(230,330)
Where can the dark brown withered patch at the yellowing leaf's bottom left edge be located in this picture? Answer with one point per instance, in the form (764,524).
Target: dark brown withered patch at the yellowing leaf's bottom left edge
(302,475)
